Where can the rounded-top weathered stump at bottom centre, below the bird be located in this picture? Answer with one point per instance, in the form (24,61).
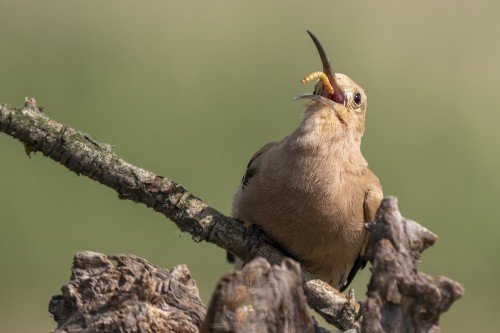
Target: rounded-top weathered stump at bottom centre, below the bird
(260,298)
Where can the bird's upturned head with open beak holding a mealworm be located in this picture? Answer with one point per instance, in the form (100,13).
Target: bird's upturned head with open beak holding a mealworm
(337,96)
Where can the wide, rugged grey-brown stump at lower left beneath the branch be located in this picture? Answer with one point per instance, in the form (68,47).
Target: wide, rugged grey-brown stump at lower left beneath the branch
(134,296)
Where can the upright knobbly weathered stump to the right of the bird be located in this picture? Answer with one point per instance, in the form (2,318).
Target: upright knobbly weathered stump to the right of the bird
(401,299)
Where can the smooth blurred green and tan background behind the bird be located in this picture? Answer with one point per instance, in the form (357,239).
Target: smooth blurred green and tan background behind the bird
(191,90)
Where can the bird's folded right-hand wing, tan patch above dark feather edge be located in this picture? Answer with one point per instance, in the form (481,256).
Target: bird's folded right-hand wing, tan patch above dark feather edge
(373,197)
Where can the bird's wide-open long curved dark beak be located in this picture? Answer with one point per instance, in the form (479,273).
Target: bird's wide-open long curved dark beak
(321,93)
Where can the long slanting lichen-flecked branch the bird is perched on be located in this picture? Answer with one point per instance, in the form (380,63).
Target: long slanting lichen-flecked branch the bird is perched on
(81,154)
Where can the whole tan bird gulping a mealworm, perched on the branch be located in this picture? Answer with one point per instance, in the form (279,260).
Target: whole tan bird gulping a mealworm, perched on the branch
(312,192)
